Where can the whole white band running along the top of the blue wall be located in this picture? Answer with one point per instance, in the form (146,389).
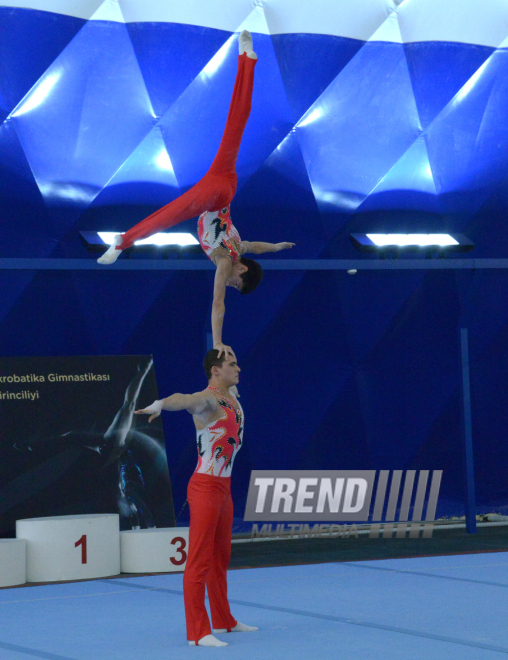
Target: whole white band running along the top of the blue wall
(483,22)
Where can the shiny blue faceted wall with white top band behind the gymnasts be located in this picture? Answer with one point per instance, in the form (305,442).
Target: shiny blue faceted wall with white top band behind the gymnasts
(376,115)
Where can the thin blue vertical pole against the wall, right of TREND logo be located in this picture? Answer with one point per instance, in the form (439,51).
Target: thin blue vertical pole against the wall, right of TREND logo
(468,436)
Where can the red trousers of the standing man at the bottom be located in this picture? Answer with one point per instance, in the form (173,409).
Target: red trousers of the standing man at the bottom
(211,522)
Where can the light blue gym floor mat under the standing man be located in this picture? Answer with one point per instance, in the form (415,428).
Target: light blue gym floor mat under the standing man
(451,607)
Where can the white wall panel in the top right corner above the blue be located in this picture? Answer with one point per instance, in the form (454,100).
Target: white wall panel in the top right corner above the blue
(482,22)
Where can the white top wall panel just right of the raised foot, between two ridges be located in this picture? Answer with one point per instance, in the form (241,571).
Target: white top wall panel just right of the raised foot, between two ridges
(357,20)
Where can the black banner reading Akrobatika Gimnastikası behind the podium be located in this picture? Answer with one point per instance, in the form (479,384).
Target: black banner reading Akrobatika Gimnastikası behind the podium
(71,444)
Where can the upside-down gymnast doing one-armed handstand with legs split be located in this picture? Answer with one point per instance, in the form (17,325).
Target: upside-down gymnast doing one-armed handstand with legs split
(210,199)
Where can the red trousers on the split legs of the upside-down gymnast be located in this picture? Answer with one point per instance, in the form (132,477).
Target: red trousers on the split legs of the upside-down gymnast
(217,188)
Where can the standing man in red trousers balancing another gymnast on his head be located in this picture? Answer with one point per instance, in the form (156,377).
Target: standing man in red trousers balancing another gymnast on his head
(219,421)
